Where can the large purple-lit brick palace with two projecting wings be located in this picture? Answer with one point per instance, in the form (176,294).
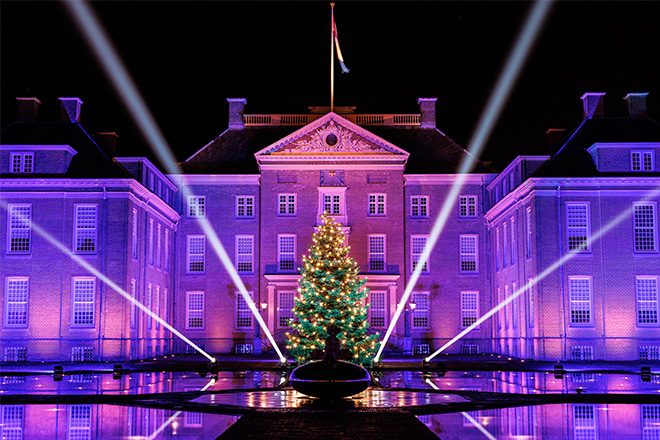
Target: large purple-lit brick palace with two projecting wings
(569,239)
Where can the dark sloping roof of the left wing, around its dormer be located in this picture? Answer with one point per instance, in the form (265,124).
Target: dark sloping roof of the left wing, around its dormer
(90,162)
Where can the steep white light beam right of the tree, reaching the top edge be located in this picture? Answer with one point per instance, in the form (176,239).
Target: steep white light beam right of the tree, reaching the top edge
(496,102)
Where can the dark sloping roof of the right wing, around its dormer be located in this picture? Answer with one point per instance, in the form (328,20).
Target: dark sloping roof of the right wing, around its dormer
(572,159)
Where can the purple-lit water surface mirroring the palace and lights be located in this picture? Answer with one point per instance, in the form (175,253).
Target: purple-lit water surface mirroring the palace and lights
(555,421)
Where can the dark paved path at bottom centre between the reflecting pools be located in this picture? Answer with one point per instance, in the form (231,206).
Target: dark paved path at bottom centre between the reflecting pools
(292,424)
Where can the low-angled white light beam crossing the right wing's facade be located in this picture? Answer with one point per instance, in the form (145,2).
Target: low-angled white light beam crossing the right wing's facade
(625,214)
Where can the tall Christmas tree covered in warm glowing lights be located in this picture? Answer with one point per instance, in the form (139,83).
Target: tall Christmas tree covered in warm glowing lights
(330,293)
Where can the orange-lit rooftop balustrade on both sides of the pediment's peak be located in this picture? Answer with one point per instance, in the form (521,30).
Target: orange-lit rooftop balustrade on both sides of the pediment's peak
(386,119)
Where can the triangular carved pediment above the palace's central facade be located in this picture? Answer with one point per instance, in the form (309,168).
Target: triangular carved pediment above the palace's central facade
(331,136)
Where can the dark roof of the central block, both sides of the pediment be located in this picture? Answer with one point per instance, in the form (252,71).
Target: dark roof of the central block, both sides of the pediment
(232,152)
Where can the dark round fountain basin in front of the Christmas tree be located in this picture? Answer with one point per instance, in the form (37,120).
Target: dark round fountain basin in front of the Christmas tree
(342,379)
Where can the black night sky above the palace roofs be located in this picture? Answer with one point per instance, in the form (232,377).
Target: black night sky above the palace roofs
(187,57)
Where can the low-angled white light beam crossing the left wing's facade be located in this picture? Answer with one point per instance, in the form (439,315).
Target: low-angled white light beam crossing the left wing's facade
(107,281)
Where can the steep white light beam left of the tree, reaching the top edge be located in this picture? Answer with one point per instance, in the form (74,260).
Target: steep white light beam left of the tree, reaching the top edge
(138,109)
